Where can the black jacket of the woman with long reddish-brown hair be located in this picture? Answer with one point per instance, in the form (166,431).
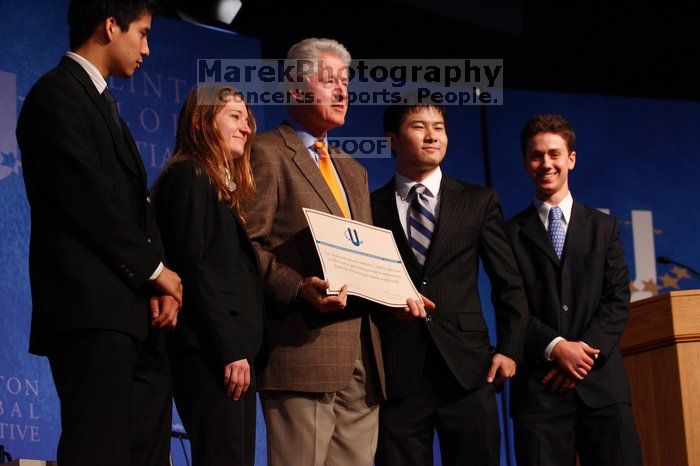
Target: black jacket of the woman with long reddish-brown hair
(222,312)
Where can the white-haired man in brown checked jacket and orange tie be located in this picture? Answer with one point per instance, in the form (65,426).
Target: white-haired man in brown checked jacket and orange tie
(322,386)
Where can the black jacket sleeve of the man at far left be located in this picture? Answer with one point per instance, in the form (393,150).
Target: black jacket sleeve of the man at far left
(68,163)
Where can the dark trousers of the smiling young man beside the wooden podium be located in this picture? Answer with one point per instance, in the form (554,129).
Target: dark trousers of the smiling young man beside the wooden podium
(604,436)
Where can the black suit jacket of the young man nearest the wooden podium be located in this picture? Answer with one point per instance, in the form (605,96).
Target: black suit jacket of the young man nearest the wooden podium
(585,297)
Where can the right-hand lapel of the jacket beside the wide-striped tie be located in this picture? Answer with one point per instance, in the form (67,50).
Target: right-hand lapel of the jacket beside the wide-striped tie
(448,220)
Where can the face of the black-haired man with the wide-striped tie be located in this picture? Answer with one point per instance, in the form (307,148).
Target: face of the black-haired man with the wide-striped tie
(420,144)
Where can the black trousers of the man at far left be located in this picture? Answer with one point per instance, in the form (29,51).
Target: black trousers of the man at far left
(116,404)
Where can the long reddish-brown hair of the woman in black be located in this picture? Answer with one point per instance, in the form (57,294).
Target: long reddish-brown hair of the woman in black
(200,141)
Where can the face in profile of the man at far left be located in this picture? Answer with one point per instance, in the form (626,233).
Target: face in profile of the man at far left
(128,48)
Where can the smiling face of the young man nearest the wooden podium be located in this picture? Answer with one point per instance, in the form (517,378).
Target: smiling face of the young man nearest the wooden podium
(548,162)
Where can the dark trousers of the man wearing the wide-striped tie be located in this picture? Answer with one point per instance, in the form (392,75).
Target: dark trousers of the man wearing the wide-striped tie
(466,422)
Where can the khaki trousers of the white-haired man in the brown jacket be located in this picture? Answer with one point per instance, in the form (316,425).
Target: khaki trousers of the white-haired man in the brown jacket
(324,429)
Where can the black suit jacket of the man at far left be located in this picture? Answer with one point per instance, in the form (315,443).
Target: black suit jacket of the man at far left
(94,243)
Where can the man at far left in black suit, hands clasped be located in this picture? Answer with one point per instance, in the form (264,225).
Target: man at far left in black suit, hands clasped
(95,257)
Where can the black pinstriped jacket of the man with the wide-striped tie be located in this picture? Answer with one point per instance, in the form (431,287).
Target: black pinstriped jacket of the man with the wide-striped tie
(470,226)
